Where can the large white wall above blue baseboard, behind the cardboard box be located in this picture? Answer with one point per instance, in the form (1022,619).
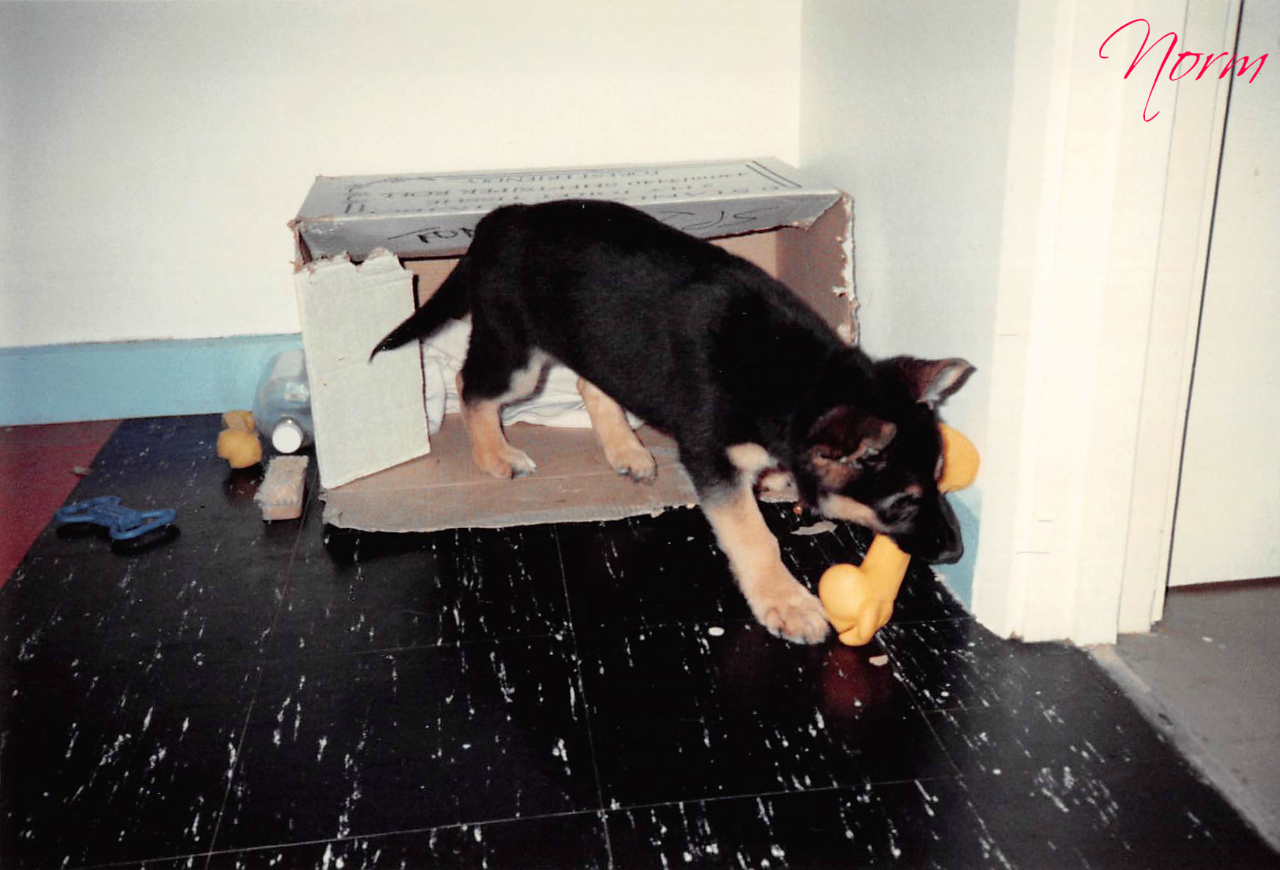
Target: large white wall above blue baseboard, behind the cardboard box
(152,154)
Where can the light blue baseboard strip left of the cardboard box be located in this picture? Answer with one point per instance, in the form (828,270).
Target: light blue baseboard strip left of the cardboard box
(65,383)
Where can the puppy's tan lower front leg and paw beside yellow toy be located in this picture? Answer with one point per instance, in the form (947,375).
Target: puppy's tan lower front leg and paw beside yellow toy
(779,602)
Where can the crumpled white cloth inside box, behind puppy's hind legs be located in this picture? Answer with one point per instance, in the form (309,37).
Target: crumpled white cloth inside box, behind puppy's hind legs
(559,404)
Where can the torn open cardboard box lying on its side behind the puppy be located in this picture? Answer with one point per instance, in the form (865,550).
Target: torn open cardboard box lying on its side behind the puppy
(372,248)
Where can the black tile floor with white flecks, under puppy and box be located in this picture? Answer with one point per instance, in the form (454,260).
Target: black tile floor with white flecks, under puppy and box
(257,695)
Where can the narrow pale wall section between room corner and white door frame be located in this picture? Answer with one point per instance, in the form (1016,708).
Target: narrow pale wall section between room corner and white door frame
(908,108)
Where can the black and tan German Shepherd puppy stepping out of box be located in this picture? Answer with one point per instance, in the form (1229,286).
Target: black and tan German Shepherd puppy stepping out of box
(708,349)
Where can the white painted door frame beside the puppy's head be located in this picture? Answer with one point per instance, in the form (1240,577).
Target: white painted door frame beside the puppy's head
(1104,249)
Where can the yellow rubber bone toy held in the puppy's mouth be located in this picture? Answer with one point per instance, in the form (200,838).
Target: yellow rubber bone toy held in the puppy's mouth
(860,599)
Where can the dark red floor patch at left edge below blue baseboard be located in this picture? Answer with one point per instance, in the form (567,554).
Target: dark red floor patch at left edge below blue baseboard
(38,473)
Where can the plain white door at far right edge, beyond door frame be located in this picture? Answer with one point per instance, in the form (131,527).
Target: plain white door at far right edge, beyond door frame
(1228,520)
